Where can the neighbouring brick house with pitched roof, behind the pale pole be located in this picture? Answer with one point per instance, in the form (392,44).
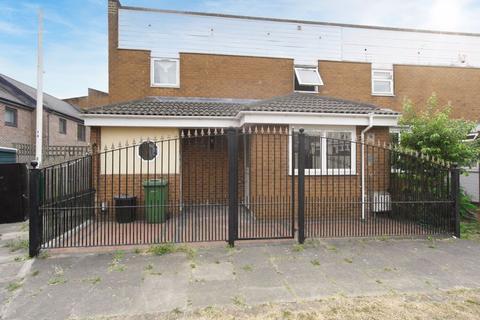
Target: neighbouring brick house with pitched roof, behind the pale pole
(64,131)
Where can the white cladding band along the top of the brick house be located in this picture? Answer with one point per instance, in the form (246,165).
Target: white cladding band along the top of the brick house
(167,34)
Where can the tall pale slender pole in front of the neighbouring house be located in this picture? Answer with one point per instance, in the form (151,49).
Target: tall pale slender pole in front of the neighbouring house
(39,110)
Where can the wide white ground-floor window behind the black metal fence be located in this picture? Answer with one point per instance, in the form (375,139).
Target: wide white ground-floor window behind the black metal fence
(329,151)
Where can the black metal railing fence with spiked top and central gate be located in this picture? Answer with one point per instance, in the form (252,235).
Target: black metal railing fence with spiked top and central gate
(254,183)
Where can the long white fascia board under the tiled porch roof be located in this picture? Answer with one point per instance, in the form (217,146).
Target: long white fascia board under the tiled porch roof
(244,117)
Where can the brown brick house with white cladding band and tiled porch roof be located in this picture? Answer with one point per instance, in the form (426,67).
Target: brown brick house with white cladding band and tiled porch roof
(340,82)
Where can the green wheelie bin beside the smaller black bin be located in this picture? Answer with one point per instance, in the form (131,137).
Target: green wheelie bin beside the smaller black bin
(156,200)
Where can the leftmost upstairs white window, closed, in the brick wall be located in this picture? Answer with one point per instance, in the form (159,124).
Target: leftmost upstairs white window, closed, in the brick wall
(165,72)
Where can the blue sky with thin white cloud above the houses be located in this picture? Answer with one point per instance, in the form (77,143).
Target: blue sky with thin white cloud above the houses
(75,31)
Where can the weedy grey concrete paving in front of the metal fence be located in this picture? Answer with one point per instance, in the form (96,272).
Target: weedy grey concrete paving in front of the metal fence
(135,282)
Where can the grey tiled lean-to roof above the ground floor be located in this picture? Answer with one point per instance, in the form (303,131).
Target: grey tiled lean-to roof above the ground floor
(203,107)
